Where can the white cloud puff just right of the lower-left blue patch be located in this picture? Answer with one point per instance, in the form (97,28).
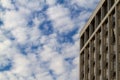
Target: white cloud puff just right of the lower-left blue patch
(21,65)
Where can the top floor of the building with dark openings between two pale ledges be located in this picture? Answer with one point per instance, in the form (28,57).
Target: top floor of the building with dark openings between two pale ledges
(99,16)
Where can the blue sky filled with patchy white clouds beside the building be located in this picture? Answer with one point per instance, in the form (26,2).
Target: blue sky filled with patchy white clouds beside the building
(39,39)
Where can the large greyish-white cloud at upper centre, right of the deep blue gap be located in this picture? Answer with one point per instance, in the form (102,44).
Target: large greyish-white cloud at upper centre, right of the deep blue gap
(60,17)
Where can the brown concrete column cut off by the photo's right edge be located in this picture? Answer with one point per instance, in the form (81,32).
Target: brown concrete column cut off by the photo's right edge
(117,20)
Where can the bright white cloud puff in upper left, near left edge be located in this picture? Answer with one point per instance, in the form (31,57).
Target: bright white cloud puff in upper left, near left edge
(13,19)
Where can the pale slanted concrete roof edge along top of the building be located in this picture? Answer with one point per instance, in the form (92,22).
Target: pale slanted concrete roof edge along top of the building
(91,17)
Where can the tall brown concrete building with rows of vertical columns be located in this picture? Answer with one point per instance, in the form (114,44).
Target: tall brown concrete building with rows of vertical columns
(100,43)
